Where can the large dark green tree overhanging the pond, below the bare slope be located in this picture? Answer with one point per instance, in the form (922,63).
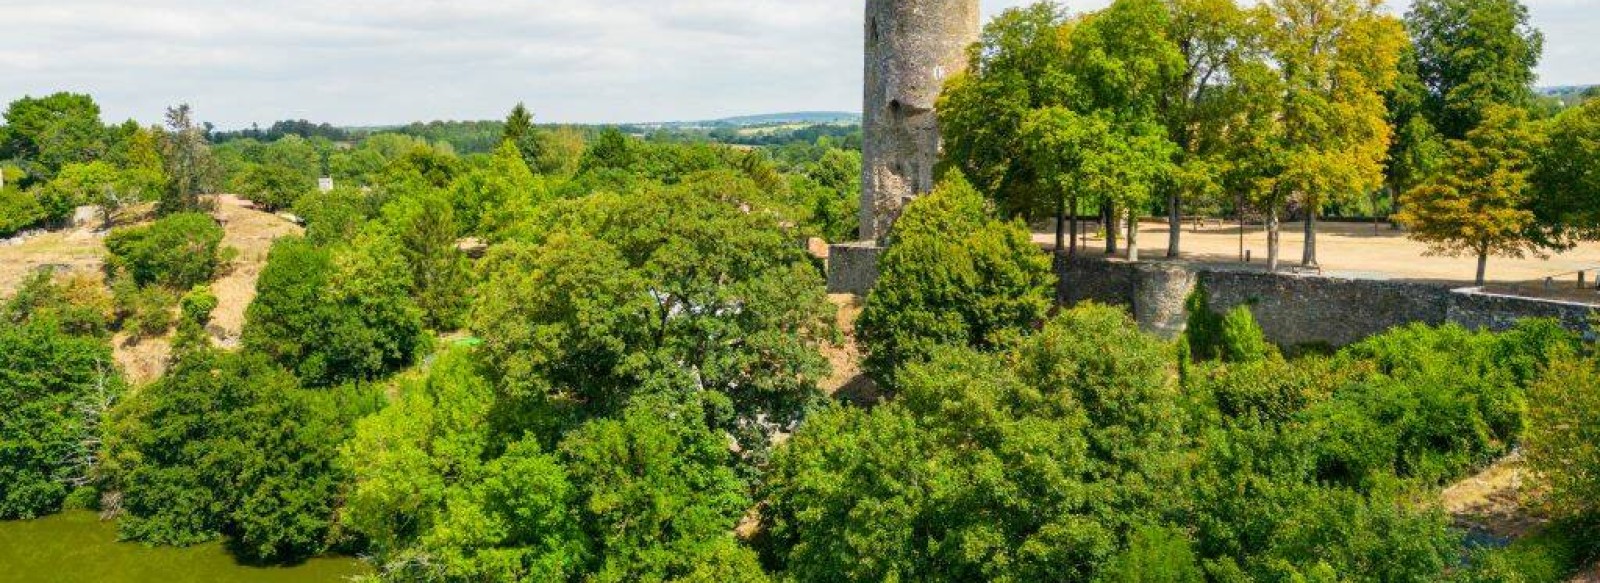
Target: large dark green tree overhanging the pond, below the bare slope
(230,444)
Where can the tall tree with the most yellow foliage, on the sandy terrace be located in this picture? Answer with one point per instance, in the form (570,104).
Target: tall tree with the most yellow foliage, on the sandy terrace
(1335,58)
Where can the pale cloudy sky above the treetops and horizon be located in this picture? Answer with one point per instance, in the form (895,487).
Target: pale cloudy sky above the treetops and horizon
(572,62)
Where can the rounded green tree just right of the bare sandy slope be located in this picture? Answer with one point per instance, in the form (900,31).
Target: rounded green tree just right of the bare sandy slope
(335,315)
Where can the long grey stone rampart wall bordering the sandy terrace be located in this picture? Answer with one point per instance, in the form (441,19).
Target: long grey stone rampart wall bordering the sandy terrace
(1298,310)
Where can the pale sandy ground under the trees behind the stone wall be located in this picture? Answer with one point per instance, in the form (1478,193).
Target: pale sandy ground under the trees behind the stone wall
(1350,251)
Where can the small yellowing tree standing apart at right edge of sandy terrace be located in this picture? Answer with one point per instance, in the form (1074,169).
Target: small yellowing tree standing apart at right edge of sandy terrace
(1479,203)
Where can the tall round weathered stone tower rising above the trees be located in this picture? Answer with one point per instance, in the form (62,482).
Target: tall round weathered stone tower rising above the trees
(913,47)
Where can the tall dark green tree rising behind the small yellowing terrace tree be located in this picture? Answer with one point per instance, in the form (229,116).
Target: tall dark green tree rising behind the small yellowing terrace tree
(1473,57)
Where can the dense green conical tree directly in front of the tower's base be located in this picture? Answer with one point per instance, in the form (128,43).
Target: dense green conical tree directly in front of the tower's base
(953,275)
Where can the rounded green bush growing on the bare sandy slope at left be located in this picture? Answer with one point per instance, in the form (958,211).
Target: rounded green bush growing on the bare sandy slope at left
(177,252)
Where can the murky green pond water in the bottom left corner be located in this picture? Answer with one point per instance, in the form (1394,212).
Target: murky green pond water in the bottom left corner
(78,547)
